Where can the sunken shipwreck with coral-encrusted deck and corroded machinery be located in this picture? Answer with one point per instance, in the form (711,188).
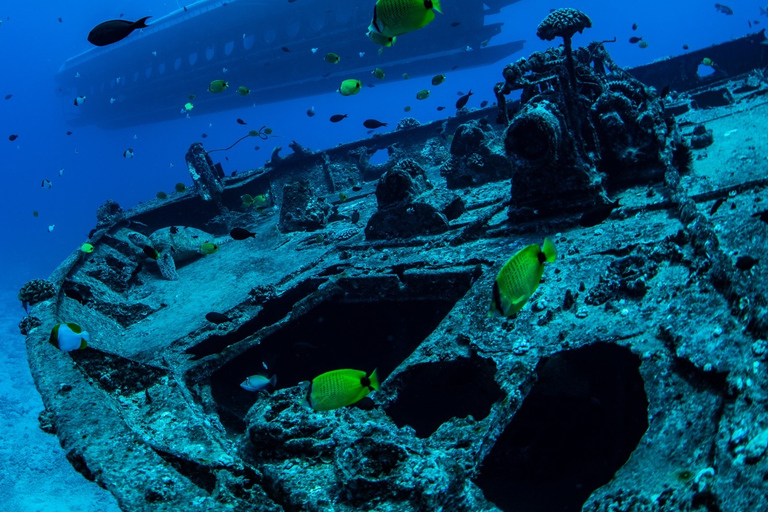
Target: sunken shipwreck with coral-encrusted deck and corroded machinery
(633,380)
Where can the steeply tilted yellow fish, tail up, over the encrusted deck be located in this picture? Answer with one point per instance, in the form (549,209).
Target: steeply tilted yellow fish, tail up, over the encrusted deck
(519,278)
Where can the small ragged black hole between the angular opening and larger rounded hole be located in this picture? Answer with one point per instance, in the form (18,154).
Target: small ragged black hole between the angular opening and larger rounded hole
(454,389)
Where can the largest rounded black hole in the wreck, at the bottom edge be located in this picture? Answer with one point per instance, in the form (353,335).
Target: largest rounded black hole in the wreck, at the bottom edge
(576,428)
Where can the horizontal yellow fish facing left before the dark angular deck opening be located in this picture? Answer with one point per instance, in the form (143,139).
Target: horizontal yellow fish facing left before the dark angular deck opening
(339,388)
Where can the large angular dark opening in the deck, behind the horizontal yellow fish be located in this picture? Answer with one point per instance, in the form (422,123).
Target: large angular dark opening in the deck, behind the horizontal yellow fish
(371,326)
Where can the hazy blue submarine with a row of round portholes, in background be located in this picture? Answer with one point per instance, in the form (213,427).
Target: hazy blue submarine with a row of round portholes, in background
(275,49)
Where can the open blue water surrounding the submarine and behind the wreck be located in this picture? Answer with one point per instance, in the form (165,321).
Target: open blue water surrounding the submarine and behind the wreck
(91,159)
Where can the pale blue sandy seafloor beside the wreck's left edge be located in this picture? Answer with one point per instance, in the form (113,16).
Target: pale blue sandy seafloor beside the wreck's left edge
(35,476)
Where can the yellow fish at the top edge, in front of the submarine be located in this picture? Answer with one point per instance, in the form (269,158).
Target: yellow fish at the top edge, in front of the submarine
(392,18)
